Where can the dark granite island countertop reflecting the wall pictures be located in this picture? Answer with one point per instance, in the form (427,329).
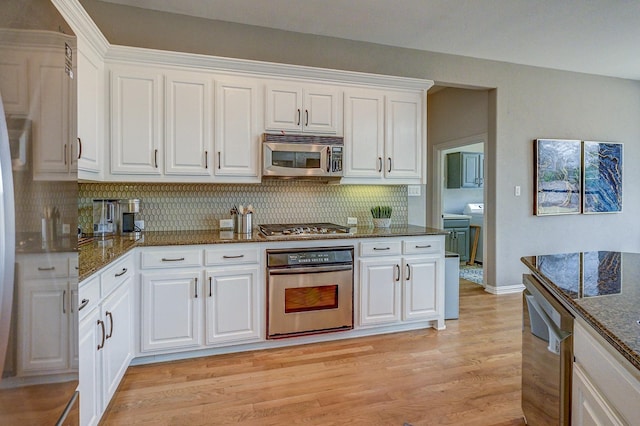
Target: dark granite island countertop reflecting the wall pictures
(602,287)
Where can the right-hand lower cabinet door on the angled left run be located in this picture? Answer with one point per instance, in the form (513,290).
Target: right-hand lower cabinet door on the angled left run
(118,347)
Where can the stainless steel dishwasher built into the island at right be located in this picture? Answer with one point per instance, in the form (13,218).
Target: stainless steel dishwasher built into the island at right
(547,357)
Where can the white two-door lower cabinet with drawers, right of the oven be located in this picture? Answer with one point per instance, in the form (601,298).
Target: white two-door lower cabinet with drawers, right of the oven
(402,280)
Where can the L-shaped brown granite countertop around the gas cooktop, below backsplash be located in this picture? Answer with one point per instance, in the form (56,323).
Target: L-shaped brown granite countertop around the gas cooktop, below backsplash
(98,253)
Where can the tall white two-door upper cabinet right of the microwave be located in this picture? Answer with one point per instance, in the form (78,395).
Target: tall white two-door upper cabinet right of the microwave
(384,140)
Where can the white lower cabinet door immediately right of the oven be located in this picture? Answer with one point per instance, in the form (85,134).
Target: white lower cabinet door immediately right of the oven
(380,290)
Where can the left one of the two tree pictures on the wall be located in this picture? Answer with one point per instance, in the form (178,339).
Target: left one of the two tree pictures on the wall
(558,176)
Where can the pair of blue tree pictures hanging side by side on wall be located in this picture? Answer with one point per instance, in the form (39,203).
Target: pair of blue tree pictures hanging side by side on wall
(573,177)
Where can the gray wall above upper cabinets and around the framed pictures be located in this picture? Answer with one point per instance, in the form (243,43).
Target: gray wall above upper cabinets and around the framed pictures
(527,103)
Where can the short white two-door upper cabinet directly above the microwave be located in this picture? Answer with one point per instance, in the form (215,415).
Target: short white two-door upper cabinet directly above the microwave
(303,108)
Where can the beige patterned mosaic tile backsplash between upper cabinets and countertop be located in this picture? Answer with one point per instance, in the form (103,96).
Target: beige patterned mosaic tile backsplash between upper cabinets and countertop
(177,207)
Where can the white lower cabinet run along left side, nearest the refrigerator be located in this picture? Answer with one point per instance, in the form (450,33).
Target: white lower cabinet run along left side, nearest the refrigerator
(105,336)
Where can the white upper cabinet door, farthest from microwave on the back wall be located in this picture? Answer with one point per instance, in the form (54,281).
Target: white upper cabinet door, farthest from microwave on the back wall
(136,121)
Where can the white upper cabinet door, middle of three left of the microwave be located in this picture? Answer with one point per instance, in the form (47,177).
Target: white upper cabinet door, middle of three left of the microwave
(189,124)
